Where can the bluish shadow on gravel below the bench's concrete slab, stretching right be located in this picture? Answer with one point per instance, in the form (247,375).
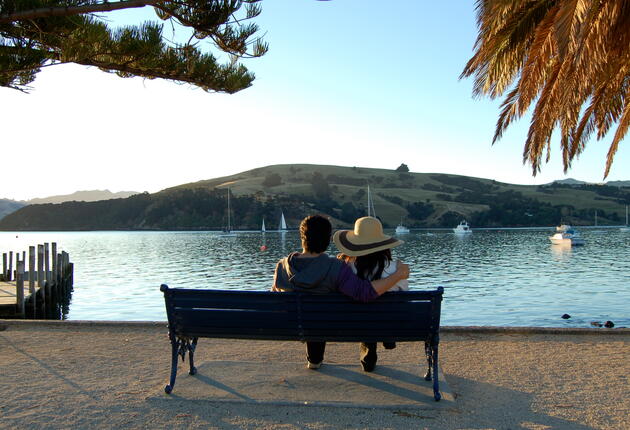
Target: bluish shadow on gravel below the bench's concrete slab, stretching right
(486,406)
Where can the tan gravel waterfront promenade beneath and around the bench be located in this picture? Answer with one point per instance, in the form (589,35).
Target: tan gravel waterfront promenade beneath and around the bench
(60,375)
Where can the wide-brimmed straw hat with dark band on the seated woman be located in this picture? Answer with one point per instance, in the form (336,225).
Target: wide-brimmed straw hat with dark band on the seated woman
(366,238)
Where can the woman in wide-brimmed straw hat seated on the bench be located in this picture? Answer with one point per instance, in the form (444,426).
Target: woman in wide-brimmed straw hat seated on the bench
(368,251)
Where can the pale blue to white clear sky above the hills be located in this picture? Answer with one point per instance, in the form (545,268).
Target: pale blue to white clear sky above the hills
(345,82)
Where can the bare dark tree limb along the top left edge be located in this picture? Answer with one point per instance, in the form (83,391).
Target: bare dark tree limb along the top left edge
(46,12)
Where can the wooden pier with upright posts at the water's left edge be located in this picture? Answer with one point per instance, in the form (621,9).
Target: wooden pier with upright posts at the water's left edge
(40,292)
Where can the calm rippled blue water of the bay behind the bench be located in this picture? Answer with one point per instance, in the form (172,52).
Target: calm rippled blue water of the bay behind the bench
(498,278)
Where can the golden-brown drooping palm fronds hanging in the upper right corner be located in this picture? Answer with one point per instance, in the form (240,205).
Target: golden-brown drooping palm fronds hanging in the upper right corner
(569,57)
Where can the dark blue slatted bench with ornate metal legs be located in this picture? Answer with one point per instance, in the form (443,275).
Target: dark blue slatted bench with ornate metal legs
(404,316)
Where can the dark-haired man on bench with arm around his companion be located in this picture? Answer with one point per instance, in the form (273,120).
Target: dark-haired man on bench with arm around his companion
(314,271)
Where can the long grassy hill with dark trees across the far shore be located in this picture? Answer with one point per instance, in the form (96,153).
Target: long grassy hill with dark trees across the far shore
(421,199)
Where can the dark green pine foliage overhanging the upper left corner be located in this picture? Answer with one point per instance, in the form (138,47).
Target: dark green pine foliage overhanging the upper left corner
(42,33)
